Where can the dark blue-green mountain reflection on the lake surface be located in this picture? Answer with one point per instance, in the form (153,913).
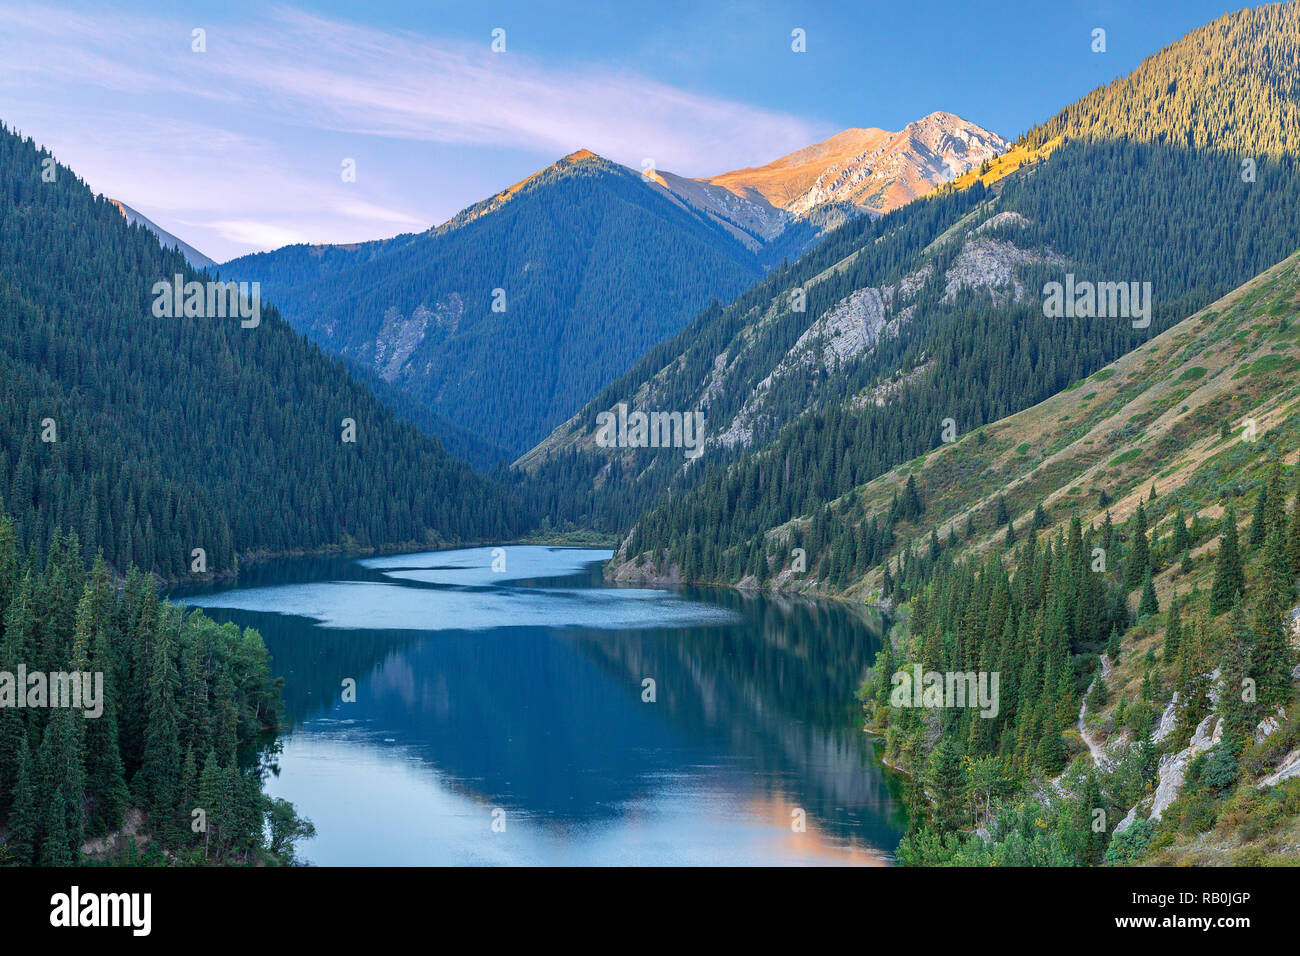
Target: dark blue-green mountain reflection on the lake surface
(552,721)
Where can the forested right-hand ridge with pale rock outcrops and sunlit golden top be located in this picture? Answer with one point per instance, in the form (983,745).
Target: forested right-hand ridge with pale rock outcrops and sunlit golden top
(935,314)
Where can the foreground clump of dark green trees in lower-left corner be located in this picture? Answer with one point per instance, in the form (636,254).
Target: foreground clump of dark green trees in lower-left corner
(181,702)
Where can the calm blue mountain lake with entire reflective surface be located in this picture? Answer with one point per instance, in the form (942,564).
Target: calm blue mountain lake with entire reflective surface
(518,697)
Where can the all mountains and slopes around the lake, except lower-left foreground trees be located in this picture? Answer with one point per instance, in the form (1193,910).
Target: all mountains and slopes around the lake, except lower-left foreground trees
(1099,500)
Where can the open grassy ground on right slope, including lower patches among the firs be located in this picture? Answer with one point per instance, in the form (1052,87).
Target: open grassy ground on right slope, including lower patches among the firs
(1152,418)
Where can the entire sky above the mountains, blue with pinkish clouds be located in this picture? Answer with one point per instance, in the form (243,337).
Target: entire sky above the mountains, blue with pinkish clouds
(241,148)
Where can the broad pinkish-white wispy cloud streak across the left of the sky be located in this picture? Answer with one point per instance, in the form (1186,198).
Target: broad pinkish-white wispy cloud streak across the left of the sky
(245,140)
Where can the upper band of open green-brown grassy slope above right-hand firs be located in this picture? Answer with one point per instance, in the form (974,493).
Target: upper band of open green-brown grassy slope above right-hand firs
(1151,417)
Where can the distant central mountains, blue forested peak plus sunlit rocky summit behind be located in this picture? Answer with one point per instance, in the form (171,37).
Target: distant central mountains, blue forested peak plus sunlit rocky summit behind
(584,246)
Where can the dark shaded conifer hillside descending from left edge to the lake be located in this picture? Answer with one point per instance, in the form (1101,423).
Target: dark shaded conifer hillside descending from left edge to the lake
(153,438)
